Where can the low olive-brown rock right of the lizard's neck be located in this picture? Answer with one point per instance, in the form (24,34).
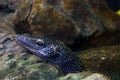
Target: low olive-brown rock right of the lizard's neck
(104,60)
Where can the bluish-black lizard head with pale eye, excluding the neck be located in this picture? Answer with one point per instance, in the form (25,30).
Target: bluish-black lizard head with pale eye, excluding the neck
(51,50)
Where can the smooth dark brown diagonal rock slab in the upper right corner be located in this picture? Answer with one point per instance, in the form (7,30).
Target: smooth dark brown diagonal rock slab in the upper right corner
(110,19)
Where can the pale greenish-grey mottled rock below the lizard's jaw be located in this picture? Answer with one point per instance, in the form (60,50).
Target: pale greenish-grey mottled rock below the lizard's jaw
(16,65)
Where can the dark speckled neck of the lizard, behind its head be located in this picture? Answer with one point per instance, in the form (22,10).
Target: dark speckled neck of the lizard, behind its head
(72,65)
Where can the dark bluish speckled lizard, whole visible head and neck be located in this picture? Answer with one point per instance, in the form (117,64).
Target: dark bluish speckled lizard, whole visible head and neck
(52,51)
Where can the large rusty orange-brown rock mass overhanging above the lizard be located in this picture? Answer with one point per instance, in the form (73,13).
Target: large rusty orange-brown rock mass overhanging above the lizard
(68,20)
